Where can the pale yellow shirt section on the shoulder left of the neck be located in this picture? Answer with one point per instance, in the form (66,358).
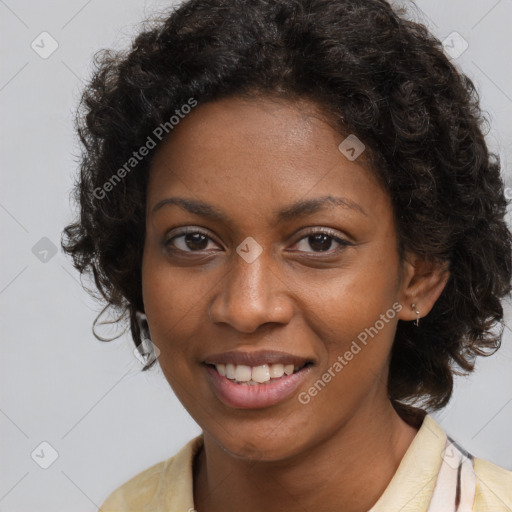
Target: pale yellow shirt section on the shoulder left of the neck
(146,491)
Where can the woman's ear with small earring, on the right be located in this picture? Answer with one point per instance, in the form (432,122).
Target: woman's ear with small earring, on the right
(422,283)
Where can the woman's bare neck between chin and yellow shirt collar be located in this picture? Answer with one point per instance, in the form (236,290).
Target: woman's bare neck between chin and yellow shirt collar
(352,467)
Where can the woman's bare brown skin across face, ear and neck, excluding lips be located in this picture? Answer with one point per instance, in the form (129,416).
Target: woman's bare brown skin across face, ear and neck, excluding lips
(249,159)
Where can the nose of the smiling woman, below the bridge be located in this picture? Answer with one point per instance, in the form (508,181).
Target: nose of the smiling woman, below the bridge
(251,294)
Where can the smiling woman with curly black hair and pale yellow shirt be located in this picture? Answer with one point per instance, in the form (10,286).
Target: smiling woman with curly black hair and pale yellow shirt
(293,200)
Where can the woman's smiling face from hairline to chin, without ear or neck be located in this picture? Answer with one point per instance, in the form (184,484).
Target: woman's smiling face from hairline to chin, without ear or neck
(272,273)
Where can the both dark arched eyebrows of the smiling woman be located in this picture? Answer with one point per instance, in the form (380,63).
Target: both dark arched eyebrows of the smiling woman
(298,209)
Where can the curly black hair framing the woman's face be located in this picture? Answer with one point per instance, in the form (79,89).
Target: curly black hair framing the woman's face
(377,74)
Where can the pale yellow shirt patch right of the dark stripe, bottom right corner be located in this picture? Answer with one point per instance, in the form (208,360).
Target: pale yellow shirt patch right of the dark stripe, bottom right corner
(493,486)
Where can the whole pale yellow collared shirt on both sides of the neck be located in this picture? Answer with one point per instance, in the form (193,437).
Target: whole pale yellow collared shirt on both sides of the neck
(435,475)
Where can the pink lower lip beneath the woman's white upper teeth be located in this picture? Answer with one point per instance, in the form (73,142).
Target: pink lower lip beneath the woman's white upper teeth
(245,396)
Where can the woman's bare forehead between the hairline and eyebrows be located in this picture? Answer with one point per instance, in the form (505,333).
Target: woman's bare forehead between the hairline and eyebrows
(257,153)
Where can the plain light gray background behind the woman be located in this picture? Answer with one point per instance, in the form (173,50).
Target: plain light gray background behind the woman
(88,399)
